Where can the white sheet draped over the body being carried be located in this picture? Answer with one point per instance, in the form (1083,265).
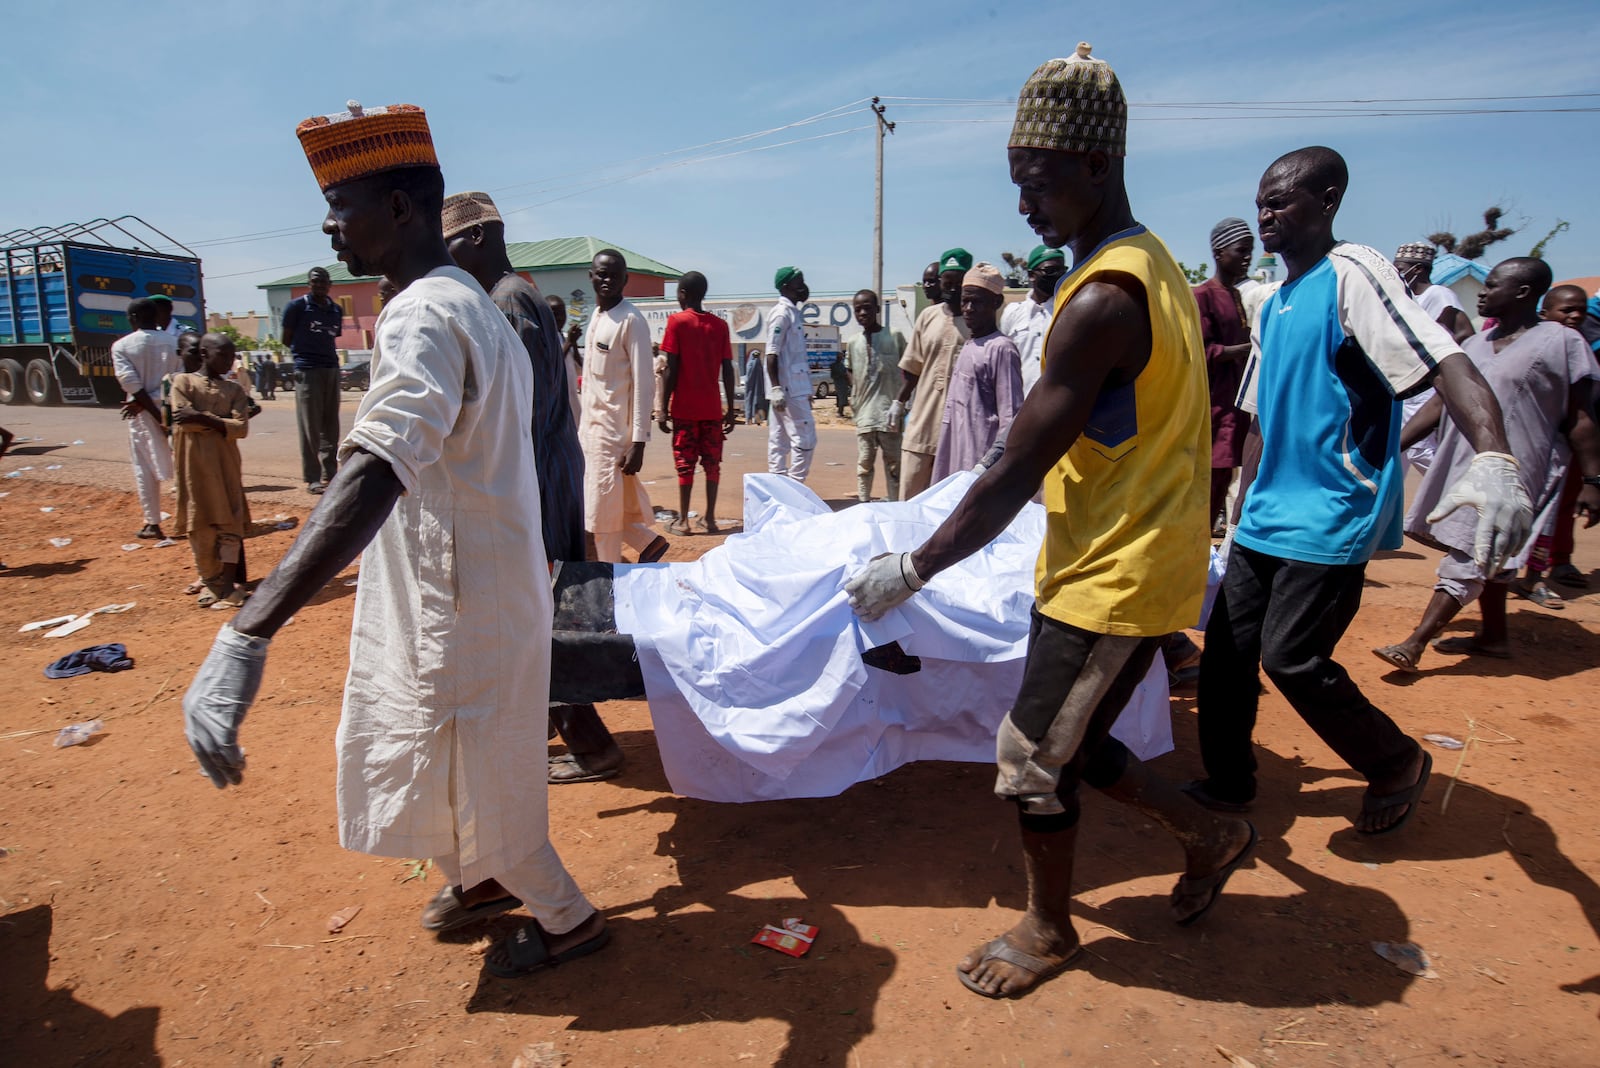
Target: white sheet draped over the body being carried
(753,656)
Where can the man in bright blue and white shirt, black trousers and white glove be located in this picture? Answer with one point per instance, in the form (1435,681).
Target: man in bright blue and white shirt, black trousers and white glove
(1337,349)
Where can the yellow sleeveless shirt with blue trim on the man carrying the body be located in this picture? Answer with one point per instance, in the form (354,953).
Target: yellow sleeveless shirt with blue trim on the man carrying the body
(1127,536)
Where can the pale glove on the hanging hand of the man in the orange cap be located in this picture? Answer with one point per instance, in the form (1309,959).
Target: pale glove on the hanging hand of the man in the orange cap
(218,699)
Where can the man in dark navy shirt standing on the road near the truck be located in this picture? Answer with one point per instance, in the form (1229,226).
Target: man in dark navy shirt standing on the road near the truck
(311,330)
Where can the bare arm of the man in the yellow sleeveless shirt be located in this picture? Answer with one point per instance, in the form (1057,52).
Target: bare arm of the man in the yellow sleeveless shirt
(1102,340)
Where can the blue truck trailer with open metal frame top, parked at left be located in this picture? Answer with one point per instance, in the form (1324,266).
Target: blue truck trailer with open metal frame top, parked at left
(65,297)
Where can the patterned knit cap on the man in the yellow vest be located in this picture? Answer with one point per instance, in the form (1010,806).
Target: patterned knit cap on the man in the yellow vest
(1073,105)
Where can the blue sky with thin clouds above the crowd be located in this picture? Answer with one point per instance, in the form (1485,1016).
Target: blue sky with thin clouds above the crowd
(185,116)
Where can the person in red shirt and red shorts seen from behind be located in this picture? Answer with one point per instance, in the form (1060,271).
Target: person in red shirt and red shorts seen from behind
(698,351)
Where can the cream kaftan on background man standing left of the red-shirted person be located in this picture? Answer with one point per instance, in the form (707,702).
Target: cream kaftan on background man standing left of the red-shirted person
(617,397)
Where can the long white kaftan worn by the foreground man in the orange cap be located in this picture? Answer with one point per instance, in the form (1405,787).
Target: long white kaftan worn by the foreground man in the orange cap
(444,706)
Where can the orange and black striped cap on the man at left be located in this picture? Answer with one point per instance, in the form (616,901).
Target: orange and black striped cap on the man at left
(366,141)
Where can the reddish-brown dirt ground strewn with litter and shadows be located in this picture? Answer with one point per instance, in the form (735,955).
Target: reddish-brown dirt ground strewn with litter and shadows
(150,919)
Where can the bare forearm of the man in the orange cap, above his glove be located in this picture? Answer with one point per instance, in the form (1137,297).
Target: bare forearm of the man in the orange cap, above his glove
(348,519)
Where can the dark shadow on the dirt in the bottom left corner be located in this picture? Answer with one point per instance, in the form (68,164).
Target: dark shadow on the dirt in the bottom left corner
(52,1027)
